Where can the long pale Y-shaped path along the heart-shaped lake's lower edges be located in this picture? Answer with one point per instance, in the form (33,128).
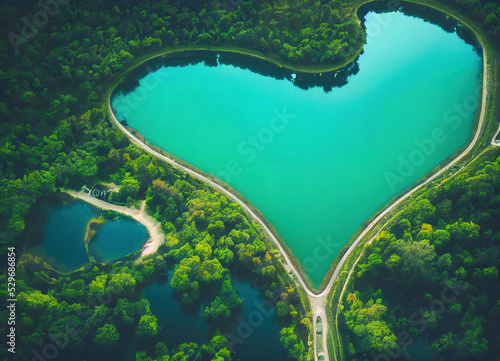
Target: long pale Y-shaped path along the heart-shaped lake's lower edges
(318,300)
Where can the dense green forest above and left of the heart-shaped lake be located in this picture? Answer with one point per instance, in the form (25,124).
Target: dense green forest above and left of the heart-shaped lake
(54,133)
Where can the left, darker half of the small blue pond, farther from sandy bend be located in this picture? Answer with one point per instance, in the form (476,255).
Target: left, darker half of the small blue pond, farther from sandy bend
(63,245)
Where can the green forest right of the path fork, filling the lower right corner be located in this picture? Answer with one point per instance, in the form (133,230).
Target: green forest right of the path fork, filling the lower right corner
(433,273)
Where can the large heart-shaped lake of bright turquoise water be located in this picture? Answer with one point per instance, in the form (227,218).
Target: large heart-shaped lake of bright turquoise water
(318,164)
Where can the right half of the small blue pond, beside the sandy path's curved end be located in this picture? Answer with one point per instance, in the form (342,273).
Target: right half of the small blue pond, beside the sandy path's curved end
(116,239)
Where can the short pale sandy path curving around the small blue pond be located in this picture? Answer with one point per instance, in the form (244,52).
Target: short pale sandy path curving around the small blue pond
(156,235)
